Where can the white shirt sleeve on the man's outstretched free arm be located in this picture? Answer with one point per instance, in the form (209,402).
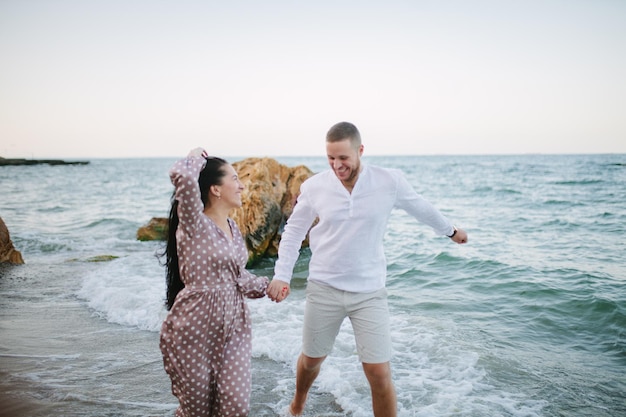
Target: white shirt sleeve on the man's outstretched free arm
(420,208)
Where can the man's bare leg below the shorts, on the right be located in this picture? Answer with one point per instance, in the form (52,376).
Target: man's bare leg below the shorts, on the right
(384,401)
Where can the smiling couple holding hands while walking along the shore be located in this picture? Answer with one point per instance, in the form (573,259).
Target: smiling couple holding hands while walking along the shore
(206,337)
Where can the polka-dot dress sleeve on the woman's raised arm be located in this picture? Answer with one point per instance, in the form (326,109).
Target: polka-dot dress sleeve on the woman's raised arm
(184,175)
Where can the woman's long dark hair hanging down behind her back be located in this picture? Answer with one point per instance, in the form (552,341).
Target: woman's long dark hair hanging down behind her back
(212,174)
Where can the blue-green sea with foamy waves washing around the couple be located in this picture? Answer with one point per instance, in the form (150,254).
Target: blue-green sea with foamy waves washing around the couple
(528,319)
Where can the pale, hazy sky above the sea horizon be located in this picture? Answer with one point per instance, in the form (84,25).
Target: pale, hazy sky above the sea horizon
(139,78)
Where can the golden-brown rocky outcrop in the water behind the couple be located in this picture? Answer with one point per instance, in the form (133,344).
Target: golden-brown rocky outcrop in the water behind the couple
(270,193)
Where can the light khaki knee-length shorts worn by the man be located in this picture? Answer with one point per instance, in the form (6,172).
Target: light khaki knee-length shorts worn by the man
(327,307)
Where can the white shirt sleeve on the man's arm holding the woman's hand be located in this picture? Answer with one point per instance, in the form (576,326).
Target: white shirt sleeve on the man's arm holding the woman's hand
(296,229)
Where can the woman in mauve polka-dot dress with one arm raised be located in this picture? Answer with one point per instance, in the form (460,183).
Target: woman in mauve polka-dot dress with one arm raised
(206,336)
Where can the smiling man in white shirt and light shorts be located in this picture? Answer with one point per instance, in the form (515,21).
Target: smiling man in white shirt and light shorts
(347,271)
